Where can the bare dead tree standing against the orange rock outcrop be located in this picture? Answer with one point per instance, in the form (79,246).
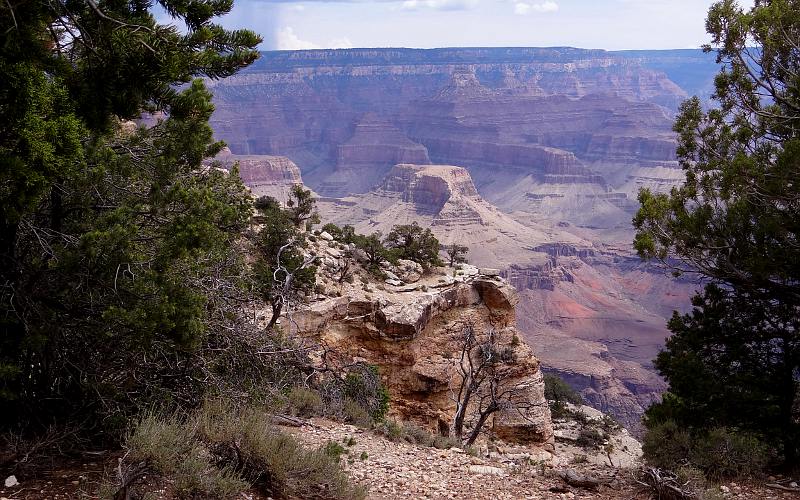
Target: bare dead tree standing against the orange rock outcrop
(482,387)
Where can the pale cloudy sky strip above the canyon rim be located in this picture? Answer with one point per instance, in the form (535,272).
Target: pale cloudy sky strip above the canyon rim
(601,24)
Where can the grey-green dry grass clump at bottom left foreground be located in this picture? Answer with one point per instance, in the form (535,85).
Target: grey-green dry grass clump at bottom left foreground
(220,451)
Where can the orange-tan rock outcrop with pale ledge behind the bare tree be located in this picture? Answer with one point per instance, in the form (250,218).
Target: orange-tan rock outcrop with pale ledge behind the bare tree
(414,334)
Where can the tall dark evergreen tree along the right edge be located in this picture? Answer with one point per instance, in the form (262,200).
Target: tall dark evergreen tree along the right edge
(732,363)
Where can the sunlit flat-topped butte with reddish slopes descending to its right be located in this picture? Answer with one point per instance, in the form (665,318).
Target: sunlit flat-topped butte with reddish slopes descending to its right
(595,314)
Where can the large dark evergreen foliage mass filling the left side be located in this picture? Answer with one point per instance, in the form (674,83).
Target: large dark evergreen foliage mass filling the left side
(115,242)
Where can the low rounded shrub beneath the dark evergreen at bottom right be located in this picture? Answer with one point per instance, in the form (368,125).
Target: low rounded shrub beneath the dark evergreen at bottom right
(725,453)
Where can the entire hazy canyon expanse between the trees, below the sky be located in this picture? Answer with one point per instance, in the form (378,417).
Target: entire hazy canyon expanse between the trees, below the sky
(532,157)
